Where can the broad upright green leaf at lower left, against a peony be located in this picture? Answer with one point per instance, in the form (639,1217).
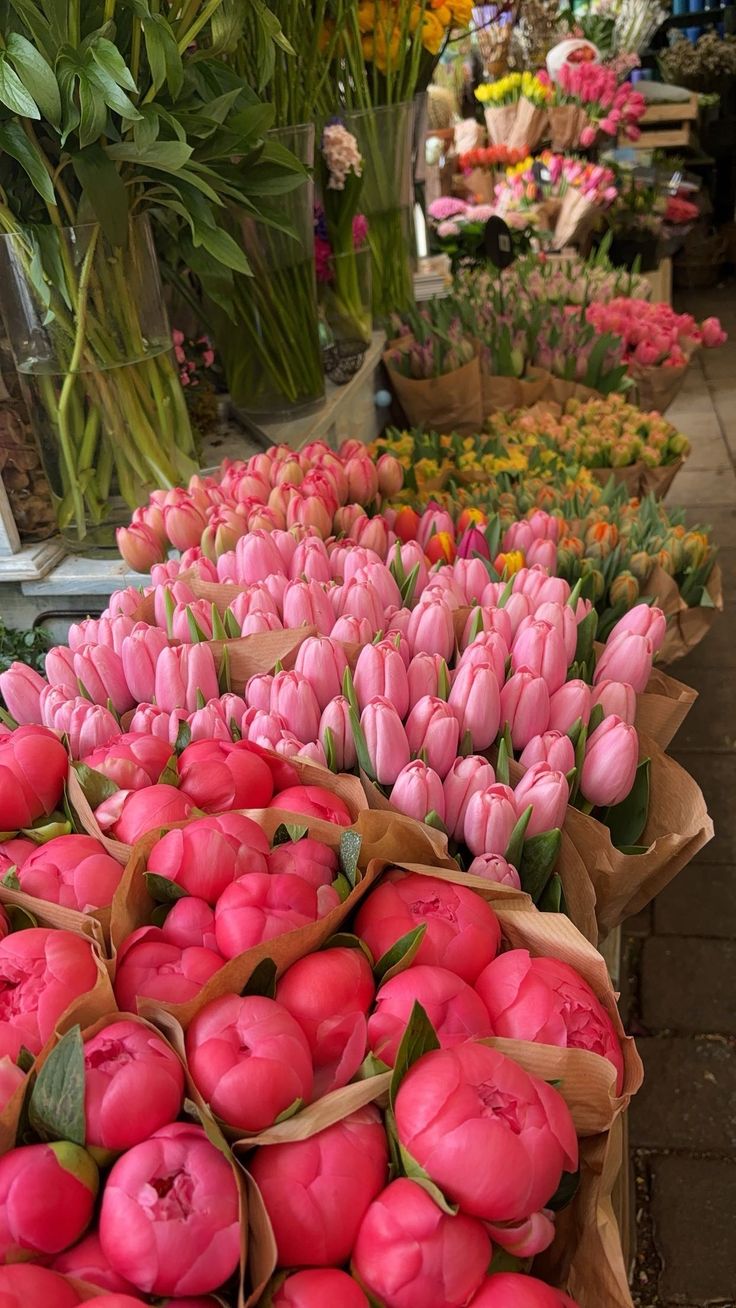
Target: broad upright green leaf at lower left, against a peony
(57,1110)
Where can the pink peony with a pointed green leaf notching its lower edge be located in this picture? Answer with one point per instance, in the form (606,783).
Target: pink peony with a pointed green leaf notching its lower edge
(453,1007)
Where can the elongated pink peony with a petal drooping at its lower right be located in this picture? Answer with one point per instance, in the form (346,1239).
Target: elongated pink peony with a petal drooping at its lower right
(330,995)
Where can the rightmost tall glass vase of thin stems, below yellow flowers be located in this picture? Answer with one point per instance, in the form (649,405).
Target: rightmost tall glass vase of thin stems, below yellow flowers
(385,139)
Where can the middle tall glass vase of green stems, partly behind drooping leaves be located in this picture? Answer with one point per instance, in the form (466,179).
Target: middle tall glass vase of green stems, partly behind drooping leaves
(271,355)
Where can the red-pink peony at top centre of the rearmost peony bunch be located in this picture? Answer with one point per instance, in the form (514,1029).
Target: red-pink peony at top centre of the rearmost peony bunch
(222,775)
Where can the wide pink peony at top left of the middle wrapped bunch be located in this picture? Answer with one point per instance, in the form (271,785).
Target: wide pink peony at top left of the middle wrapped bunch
(211,853)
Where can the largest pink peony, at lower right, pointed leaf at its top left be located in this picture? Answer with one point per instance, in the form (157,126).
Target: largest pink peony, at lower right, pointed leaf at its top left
(457,1106)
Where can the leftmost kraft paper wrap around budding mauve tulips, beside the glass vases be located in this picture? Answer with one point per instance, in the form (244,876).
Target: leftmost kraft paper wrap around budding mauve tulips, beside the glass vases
(448,404)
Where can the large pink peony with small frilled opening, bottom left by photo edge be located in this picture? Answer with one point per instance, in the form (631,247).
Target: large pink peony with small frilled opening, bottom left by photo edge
(171,1216)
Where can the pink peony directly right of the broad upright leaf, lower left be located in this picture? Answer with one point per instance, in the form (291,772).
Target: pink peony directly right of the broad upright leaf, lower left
(127,1064)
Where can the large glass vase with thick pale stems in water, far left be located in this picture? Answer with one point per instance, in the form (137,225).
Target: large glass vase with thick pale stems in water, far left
(93,350)
